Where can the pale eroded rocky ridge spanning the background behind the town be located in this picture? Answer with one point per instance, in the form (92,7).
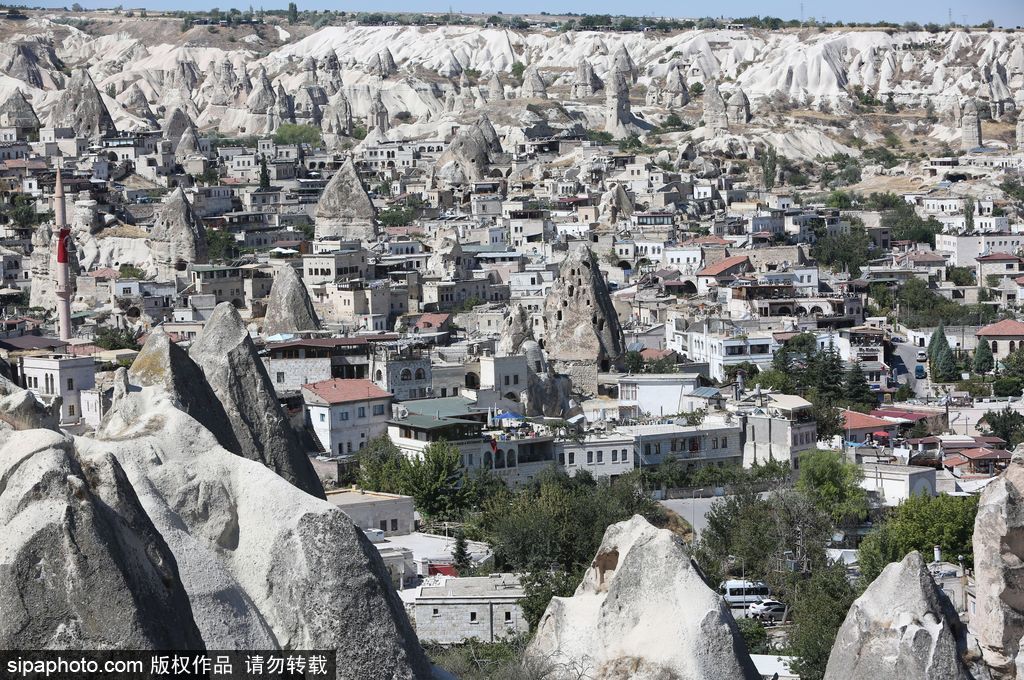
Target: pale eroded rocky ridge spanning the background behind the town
(260,76)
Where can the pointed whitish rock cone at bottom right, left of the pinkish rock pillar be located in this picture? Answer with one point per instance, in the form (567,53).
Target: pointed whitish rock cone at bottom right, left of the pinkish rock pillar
(904,626)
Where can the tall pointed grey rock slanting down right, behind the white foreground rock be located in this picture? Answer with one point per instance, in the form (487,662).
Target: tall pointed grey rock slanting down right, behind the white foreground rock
(229,360)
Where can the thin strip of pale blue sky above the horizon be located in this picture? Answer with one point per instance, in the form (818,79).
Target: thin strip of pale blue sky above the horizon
(1004,13)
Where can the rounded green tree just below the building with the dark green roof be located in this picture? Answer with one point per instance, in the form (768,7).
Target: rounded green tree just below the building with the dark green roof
(437,481)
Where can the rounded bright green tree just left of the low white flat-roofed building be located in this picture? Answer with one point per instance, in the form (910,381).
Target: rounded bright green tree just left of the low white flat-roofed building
(834,486)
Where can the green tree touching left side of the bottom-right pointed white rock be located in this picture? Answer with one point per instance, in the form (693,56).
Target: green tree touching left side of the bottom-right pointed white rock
(820,610)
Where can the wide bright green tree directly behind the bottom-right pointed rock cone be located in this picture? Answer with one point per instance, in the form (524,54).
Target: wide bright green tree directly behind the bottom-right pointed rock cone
(919,524)
